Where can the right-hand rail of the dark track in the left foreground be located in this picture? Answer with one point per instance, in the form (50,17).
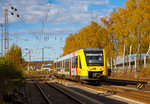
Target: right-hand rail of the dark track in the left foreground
(72,97)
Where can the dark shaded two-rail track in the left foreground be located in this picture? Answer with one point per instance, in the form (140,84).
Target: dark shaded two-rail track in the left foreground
(54,95)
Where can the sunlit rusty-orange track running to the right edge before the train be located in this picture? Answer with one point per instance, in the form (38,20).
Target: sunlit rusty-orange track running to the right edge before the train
(138,95)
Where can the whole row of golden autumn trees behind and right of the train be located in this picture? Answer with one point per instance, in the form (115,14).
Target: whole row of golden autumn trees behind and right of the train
(129,25)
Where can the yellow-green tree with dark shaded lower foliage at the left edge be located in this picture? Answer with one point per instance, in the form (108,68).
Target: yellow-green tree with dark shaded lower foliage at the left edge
(11,67)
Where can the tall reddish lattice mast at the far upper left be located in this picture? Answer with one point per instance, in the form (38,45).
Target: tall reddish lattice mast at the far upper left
(6,38)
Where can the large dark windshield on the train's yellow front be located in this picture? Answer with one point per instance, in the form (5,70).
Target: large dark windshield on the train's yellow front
(94,58)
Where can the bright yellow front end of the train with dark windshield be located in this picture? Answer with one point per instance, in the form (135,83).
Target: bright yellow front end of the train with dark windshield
(94,64)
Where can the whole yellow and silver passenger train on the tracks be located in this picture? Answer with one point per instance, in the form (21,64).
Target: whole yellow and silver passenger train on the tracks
(87,64)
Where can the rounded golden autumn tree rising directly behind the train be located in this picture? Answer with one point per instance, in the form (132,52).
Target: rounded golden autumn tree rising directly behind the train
(91,36)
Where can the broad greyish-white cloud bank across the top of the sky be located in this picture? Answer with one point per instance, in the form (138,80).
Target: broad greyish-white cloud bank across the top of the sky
(34,11)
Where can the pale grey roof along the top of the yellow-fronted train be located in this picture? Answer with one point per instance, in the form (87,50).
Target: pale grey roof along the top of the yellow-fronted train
(71,54)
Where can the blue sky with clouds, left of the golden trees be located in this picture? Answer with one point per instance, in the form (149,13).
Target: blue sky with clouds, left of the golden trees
(59,18)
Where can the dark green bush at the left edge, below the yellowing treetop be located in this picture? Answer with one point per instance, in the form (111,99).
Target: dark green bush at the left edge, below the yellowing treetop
(9,75)
